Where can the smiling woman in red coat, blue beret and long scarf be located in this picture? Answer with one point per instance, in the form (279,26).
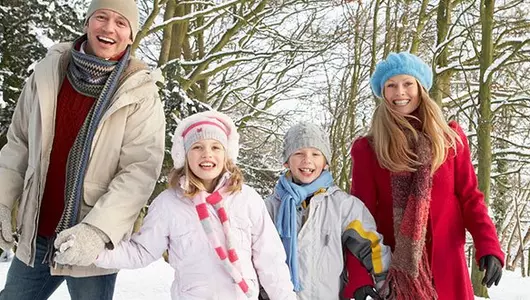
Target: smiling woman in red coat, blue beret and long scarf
(414,173)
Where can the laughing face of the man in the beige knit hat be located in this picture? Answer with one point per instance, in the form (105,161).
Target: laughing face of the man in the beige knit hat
(108,34)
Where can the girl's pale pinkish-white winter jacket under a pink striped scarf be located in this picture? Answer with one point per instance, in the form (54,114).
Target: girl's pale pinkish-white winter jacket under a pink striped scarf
(172,223)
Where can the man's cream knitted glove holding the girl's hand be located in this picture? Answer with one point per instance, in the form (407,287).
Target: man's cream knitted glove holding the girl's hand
(79,245)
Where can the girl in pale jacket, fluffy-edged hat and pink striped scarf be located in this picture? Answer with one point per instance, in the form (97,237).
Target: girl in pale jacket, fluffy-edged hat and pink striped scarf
(217,230)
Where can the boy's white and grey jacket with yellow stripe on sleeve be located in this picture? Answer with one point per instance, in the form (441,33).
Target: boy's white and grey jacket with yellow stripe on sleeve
(335,219)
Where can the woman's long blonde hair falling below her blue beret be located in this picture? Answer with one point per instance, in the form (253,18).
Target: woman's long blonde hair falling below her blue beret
(390,142)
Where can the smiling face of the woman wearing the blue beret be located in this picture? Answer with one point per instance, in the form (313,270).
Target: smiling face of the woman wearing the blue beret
(402,94)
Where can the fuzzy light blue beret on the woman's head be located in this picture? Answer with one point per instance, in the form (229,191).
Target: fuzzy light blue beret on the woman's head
(399,64)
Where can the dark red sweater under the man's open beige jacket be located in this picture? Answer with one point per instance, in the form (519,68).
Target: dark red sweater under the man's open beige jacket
(71,112)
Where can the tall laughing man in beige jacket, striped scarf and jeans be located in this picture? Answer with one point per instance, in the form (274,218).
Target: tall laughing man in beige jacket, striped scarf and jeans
(84,151)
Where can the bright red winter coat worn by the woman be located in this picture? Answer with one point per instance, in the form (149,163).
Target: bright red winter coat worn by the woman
(456,205)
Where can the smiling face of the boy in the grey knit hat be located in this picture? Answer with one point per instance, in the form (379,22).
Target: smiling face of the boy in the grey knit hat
(306,165)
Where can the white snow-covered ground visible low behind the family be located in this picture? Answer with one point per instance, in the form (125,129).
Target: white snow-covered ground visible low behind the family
(154,281)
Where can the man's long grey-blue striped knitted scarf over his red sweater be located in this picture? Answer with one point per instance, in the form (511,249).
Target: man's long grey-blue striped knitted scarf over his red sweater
(93,70)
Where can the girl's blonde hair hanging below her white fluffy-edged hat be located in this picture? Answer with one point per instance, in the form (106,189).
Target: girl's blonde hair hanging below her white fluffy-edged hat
(194,183)
